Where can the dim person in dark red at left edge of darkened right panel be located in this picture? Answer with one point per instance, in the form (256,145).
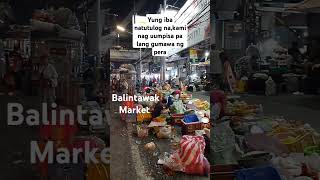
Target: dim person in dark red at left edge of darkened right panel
(218,104)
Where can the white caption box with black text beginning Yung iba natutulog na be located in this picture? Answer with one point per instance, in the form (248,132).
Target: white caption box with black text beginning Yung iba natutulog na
(159,32)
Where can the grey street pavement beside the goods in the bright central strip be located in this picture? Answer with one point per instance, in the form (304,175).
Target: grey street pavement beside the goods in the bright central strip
(135,161)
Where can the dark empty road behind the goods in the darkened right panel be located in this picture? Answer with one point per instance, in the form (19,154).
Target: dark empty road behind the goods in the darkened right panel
(303,108)
